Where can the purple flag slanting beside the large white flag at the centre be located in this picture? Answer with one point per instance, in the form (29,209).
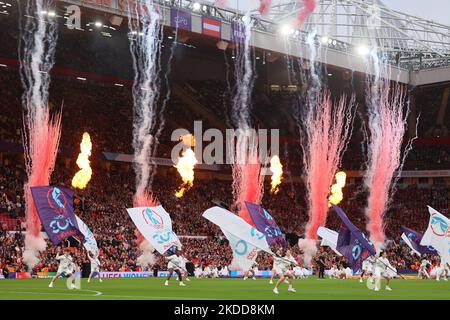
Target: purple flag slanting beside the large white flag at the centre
(265,224)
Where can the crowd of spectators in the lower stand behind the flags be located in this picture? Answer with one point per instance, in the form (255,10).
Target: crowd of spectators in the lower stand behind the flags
(102,206)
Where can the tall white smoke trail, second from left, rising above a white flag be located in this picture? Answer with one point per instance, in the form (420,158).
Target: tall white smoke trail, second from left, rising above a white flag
(145,47)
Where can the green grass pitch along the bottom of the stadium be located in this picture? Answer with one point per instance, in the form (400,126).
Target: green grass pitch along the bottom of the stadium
(204,289)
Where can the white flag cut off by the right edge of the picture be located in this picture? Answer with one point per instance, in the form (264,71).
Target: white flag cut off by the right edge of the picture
(438,234)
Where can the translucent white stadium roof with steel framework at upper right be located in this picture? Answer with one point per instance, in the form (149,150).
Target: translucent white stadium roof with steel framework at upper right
(414,42)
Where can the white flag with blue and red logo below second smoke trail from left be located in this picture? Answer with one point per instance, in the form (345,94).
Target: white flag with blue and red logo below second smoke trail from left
(156,226)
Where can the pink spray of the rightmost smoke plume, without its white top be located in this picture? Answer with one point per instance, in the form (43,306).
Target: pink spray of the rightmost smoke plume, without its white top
(387,125)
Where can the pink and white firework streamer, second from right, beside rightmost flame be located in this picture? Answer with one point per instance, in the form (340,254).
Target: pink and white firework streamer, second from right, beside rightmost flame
(325,129)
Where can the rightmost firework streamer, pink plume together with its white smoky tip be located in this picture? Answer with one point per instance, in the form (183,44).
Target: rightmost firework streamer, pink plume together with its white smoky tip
(387,118)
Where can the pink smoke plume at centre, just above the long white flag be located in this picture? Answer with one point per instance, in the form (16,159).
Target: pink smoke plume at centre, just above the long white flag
(247,179)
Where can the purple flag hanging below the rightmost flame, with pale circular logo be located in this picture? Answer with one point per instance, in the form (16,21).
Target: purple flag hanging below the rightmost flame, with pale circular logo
(352,243)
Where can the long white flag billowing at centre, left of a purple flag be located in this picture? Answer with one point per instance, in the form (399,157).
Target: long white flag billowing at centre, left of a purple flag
(237,227)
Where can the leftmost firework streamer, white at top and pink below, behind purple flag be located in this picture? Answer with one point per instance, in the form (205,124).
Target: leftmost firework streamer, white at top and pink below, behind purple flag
(41,131)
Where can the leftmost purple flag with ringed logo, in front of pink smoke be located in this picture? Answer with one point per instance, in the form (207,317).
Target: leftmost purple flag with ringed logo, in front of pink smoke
(54,205)
